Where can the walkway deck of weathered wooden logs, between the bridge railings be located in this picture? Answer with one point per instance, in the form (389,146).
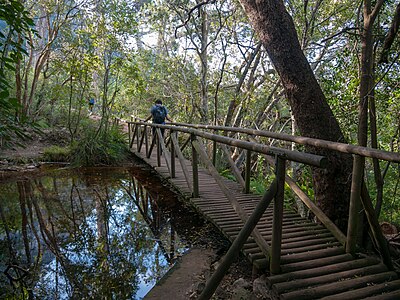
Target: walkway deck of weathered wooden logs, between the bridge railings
(314,264)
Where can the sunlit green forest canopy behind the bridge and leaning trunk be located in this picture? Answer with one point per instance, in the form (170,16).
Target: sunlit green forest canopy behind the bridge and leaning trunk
(204,61)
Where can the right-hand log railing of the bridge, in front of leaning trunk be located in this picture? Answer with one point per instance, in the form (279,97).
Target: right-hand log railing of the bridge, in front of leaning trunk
(358,188)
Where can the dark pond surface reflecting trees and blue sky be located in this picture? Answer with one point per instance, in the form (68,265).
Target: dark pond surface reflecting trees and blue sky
(92,234)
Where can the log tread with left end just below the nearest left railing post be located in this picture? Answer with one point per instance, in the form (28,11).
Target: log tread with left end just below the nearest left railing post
(340,263)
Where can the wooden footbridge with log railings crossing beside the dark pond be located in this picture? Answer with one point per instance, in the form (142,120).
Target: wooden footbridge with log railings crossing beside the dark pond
(304,260)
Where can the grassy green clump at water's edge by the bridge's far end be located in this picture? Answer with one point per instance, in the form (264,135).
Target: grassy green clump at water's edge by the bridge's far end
(97,148)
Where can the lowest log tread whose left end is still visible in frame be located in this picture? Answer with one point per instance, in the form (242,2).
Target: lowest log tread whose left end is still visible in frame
(337,287)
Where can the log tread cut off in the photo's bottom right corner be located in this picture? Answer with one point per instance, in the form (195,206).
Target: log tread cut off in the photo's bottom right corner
(390,289)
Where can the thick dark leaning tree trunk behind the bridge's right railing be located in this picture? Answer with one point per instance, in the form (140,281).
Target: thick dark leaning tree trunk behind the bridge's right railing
(313,115)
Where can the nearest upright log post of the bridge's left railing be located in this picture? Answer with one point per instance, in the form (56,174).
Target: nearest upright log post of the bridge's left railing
(276,240)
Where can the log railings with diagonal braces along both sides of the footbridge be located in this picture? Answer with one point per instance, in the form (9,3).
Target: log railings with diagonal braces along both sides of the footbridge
(149,135)
